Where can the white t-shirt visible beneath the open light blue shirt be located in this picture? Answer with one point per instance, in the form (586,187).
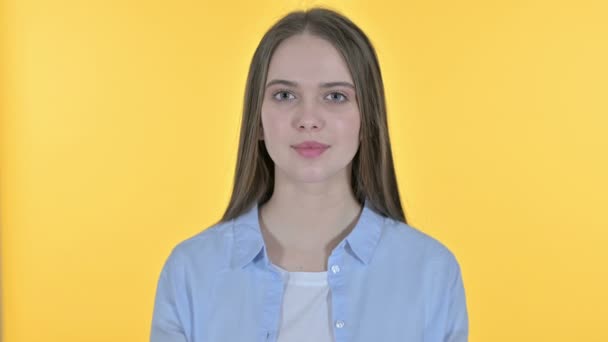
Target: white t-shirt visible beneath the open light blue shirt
(306,309)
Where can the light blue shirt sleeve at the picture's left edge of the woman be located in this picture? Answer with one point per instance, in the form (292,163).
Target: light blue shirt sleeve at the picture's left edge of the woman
(166,323)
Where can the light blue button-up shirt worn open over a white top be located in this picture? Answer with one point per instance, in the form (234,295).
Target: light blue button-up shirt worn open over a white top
(389,282)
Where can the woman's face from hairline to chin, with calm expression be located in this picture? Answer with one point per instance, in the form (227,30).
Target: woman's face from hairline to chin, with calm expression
(310,96)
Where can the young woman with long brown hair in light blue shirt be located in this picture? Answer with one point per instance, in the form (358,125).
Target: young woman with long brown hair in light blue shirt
(314,245)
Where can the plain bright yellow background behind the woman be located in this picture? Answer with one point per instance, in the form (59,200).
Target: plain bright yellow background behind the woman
(119,131)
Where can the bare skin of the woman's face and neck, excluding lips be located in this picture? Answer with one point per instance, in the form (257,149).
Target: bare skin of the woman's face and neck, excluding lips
(312,207)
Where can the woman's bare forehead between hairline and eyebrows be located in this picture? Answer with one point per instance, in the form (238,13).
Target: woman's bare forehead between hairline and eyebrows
(305,58)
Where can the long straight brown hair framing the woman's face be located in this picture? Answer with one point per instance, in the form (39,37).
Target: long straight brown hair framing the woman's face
(373,176)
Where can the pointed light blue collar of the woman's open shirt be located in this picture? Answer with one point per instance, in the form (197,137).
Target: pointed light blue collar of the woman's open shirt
(249,243)
